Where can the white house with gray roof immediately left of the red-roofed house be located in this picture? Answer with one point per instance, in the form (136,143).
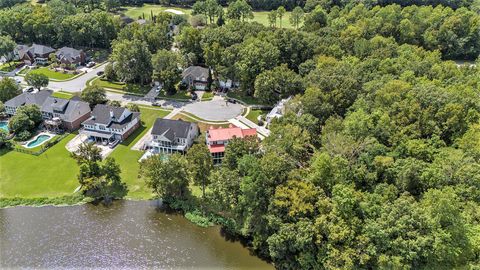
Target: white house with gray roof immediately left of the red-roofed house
(171,136)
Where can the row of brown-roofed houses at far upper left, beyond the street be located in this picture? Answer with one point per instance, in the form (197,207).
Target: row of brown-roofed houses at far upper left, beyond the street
(40,54)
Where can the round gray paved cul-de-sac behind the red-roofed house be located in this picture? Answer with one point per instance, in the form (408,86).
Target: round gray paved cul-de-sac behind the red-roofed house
(215,110)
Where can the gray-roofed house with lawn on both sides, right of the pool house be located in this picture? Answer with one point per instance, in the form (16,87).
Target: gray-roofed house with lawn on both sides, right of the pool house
(109,124)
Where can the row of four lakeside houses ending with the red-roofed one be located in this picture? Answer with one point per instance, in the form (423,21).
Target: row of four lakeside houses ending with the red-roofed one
(109,125)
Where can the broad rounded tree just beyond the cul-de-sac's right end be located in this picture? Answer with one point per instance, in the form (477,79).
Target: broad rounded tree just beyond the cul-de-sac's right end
(278,83)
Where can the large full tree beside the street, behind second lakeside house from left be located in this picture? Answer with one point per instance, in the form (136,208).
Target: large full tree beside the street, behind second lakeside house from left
(132,61)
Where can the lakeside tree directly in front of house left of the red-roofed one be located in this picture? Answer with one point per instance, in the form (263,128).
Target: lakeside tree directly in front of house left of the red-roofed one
(168,178)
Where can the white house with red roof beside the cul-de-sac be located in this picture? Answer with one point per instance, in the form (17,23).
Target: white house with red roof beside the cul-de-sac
(217,139)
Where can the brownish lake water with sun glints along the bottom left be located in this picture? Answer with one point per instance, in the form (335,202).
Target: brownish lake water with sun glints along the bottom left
(126,234)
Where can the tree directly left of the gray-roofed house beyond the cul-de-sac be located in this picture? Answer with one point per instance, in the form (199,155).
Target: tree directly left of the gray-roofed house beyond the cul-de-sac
(166,70)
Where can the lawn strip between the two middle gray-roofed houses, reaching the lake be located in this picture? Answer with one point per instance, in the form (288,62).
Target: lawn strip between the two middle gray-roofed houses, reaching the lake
(128,159)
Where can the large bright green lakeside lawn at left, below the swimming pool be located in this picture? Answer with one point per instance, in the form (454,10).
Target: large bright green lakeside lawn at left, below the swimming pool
(50,174)
